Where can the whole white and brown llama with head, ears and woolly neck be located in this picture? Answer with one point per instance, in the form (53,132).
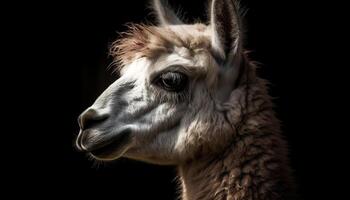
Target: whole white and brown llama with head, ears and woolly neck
(189,96)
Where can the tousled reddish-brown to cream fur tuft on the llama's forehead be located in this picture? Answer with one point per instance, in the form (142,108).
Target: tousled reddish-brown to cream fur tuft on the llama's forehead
(151,41)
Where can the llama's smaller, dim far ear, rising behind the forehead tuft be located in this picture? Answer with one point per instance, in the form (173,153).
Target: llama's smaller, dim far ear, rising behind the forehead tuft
(165,15)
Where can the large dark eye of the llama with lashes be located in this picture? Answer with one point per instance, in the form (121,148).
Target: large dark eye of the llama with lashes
(172,81)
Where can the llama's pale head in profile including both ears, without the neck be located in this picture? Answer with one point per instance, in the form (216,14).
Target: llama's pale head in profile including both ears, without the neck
(166,106)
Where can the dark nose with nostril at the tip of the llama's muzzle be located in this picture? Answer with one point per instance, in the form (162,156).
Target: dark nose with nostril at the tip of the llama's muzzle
(90,117)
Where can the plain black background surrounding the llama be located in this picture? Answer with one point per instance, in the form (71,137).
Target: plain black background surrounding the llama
(61,52)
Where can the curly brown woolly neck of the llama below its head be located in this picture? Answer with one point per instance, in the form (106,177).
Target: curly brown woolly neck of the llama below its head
(254,165)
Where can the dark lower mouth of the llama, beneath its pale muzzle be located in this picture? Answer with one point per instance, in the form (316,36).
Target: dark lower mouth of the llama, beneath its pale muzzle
(114,148)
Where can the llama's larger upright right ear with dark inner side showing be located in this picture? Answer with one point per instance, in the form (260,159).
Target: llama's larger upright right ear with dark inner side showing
(226,28)
